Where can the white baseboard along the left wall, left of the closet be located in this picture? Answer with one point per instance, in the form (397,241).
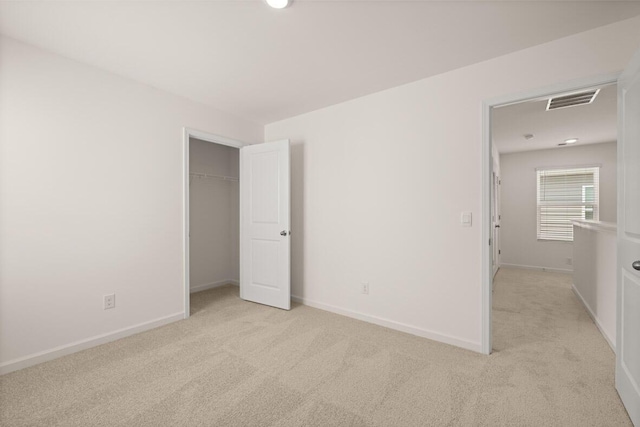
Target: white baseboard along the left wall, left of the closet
(54,353)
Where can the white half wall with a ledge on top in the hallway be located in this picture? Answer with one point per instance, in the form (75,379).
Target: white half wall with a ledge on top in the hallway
(594,276)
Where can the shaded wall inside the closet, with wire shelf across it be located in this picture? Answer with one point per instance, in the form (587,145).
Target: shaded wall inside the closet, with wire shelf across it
(213,216)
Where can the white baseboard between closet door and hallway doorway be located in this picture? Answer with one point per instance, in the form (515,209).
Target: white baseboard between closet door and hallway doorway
(391,324)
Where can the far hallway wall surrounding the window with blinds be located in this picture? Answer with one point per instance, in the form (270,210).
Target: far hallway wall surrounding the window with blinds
(519,243)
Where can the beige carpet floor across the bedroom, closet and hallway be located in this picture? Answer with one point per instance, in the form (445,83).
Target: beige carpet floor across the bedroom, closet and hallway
(235,363)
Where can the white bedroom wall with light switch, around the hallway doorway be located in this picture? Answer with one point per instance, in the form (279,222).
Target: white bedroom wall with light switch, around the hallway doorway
(379,183)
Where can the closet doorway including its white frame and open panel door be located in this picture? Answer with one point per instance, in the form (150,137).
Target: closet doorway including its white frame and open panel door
(237,218)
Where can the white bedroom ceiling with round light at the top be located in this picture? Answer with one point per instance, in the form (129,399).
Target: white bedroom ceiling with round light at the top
(264,64)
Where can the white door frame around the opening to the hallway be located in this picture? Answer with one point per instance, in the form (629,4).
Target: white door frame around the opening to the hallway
(487,172)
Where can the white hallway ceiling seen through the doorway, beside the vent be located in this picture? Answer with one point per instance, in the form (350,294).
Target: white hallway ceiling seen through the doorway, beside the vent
(591,124)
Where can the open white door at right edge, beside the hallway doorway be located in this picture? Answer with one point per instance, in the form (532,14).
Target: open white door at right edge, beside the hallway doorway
(628,289)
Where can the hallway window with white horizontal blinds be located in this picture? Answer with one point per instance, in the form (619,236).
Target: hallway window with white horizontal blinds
(565,195)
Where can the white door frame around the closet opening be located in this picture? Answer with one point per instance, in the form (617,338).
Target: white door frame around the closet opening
(187,134)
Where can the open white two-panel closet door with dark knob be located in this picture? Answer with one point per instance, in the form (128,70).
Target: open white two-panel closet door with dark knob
(264,224)
